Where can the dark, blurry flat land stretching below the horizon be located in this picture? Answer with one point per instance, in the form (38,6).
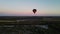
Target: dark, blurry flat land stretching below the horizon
(29,25)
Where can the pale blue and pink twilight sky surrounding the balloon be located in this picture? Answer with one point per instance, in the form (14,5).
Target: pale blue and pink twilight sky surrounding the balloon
(25,7)
